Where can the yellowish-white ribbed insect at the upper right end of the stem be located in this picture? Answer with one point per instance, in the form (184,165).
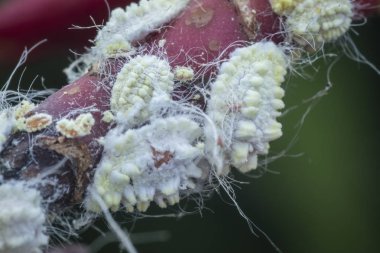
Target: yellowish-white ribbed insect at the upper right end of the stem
(314,22)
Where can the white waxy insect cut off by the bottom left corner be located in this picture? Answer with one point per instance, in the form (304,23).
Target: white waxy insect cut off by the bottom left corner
(21,219)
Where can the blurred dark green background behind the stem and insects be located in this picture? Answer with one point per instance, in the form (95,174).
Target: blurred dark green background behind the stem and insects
(321,196)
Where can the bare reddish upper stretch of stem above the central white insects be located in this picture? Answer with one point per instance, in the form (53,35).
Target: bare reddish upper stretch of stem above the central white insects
(210,29)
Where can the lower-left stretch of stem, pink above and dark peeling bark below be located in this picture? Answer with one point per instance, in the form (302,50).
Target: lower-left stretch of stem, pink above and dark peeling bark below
(36,151)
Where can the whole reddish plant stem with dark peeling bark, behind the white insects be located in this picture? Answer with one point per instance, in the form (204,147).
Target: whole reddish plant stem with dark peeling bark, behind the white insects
(205,32)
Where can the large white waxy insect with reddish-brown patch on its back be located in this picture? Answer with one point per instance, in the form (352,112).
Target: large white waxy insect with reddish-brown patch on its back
(153,163)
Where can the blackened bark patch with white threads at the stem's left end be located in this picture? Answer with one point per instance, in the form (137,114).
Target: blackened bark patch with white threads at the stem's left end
(52,174)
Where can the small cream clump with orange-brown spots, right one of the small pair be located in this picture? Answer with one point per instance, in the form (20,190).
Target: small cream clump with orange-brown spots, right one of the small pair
(78,127)
